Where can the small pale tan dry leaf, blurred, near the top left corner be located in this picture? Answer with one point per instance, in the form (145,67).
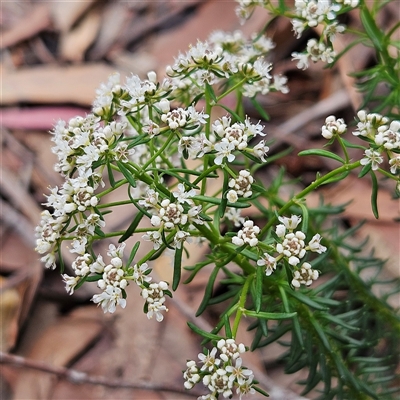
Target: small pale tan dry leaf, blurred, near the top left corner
(74,43)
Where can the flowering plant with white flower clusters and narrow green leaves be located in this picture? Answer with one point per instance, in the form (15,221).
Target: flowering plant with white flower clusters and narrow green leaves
(162,141)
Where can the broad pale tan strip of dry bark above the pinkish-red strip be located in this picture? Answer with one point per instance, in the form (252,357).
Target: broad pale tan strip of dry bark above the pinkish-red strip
(52,84)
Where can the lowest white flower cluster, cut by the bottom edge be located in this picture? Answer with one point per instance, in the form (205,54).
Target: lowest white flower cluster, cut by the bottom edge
(221,373)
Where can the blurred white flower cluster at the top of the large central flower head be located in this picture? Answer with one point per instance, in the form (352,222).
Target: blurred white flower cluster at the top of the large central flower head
(227,55)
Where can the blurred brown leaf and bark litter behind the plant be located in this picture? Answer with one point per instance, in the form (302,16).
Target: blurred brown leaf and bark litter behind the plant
(54,55)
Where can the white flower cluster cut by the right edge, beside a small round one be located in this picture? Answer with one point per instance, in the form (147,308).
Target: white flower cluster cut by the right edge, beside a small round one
(384,137)
